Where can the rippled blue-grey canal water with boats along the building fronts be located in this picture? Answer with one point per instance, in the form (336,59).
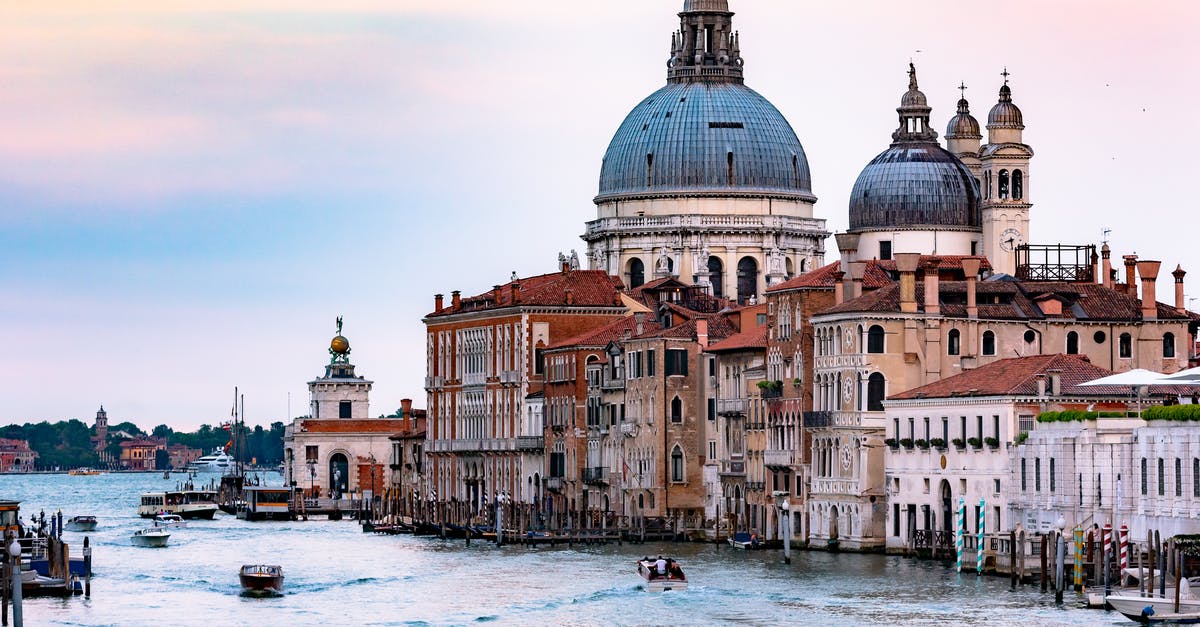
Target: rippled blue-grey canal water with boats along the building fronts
(339,576)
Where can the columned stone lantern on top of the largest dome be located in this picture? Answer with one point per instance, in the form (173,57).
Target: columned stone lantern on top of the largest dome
(706,49)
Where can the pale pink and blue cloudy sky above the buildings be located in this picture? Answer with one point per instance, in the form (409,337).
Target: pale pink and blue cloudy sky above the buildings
(191,193)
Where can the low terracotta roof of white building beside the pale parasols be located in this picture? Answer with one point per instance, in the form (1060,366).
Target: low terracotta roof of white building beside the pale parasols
(1017,378)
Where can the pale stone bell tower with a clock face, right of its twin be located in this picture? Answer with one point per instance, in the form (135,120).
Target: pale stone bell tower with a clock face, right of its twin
(1005,163)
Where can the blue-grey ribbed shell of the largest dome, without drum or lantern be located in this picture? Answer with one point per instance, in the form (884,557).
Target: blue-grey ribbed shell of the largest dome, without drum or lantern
(705,139)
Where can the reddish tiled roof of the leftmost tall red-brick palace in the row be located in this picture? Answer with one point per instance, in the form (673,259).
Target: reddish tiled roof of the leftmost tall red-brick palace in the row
(587,289)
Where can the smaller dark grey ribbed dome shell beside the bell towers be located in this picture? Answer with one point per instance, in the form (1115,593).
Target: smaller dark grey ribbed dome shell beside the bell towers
(915,184)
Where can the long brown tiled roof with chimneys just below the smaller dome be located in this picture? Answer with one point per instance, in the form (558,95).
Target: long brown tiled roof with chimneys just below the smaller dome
(1010,300)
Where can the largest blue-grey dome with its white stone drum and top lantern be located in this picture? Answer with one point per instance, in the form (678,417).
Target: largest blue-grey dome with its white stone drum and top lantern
(706,181)
